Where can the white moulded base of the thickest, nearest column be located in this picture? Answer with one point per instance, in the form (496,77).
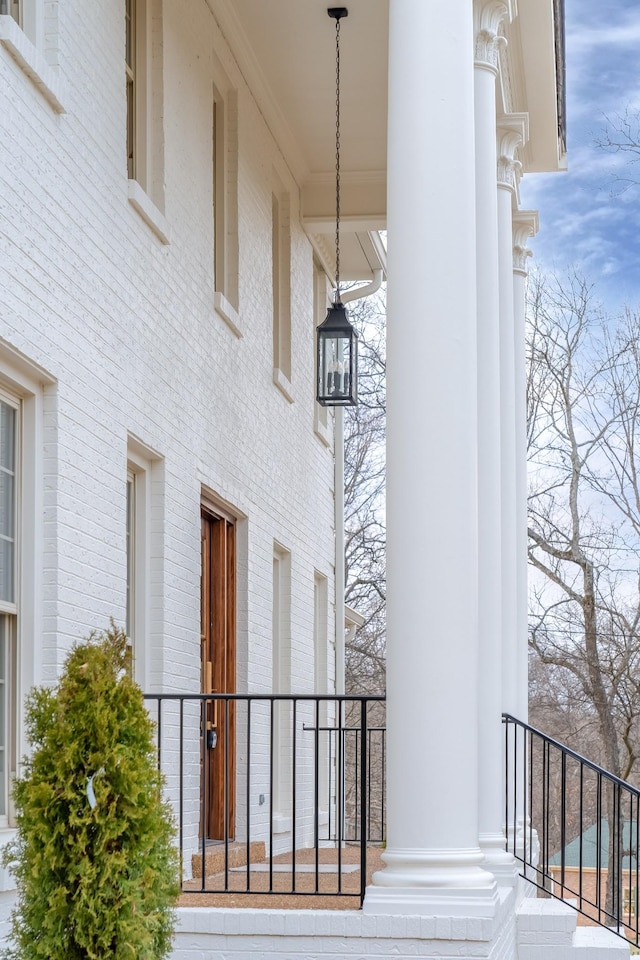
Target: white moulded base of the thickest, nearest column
(442,884)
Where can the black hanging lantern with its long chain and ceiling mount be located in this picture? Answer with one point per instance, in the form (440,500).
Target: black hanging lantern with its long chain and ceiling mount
(337,341)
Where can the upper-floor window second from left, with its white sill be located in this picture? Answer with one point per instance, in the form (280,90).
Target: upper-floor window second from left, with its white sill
(145,139)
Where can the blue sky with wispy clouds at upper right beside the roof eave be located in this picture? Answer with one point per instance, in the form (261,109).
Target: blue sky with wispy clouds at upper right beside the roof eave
(586,217)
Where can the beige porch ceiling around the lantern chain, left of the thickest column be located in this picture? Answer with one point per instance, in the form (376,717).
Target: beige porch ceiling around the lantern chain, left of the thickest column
(286,51)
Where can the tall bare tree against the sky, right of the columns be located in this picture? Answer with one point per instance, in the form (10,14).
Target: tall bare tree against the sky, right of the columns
(584,519)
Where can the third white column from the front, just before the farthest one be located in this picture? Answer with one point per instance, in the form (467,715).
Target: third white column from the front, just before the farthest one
(511,134)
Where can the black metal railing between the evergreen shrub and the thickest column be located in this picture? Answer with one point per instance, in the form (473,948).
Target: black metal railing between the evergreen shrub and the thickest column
(273,794)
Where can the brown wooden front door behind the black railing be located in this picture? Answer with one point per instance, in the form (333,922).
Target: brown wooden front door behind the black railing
(218,647)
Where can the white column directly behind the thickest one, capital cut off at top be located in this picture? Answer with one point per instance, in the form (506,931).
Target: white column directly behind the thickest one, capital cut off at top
(488,15)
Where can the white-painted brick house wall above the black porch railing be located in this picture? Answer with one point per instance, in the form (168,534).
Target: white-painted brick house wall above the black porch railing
(125,326)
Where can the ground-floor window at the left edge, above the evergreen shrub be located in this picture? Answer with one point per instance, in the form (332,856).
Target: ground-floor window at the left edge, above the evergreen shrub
(9,486)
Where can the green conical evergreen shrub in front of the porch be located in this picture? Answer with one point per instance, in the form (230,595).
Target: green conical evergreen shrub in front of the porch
(94,860)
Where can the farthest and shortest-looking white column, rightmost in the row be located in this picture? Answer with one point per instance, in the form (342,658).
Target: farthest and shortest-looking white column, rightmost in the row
(525,225)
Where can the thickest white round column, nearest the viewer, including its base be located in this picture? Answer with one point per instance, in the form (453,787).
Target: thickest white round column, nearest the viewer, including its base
(432,857)
